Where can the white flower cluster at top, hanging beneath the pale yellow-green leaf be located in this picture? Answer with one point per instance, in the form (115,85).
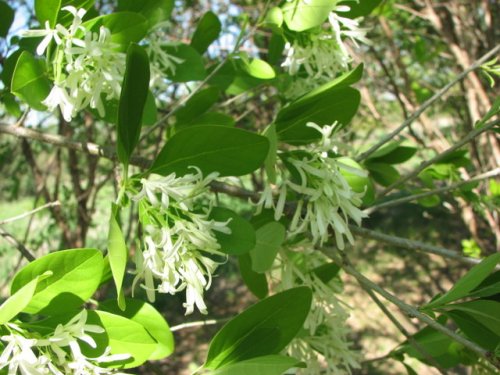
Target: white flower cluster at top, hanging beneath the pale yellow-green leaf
(323,52)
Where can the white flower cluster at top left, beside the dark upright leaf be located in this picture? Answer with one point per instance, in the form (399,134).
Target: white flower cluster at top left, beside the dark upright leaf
(86,66)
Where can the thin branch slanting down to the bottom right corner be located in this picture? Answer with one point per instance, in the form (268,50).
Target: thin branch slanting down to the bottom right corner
(408,309)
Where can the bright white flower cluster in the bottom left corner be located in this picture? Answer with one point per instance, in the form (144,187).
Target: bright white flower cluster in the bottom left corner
(58,353)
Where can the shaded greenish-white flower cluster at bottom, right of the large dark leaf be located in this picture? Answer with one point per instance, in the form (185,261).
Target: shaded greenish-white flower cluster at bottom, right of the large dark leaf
(323,346)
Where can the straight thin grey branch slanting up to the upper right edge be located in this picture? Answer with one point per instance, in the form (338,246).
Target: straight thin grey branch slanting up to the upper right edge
(427,104)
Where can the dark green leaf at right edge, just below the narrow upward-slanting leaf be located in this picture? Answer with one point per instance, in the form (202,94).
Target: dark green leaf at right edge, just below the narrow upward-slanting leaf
(487,312)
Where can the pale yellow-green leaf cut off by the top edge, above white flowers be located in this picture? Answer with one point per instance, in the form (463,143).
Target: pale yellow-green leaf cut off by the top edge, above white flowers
(300,15)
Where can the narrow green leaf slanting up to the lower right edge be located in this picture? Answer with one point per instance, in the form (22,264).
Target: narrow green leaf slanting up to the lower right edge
(467,283)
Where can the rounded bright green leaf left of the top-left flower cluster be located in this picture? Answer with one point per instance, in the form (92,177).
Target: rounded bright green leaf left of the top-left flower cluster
(29,81)
